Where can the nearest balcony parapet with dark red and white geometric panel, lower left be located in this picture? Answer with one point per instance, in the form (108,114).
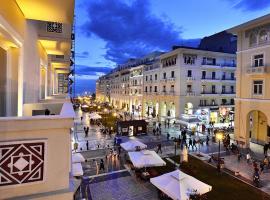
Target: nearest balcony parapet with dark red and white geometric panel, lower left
(43,135)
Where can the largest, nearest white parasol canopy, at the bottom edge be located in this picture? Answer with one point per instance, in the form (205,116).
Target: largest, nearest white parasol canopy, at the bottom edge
(179,185)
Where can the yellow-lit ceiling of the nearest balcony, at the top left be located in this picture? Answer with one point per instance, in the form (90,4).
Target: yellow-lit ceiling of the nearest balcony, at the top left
(48,10)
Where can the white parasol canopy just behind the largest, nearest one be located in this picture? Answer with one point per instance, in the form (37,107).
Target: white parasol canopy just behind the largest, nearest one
(145,158)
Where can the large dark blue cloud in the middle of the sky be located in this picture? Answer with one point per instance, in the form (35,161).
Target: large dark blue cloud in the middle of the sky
(129,30)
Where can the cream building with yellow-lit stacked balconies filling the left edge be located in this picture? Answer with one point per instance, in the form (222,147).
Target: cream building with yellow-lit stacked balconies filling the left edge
(35,50)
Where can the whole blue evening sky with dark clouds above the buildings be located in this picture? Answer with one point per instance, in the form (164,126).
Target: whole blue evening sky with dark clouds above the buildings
(108,32)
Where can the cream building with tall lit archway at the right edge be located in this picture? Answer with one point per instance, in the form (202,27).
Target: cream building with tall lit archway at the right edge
(252,105)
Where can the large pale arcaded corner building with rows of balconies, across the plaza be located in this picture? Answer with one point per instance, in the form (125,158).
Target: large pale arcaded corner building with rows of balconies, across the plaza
(185,82)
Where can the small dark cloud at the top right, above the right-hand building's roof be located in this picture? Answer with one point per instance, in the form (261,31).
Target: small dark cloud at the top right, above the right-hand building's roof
(250,5)
